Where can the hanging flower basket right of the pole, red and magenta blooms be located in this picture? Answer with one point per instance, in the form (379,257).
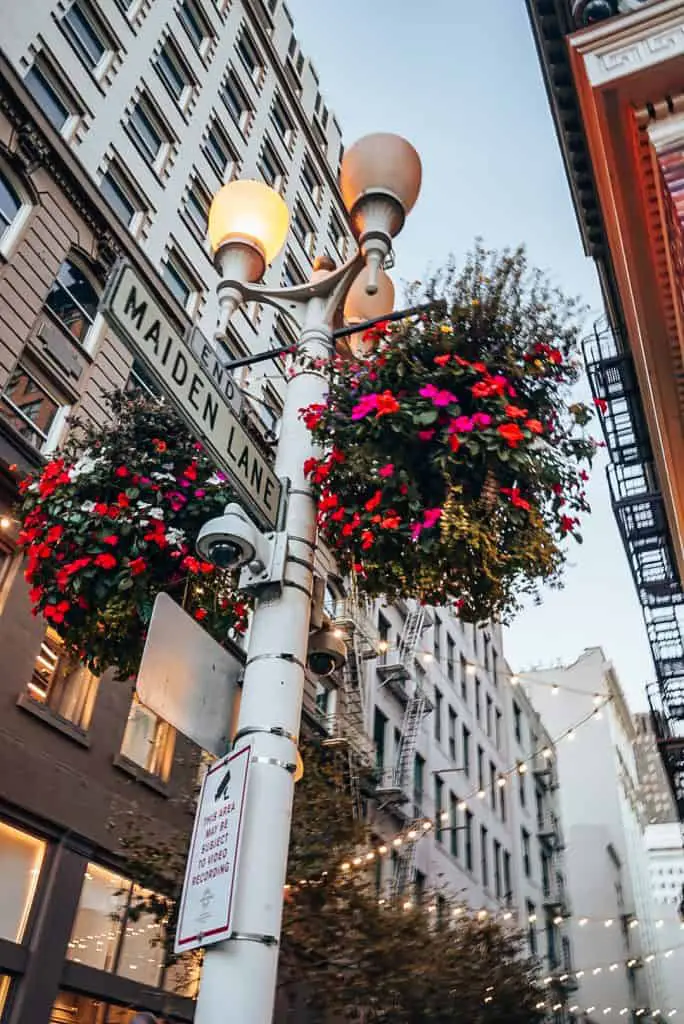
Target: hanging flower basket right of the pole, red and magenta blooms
(452,466)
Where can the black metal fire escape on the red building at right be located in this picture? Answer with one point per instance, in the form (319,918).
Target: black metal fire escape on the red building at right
(640,513)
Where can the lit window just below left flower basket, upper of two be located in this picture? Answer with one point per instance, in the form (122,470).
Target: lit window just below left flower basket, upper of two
(62,684)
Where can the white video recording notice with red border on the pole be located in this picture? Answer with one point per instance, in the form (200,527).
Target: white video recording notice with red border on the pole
(206,903)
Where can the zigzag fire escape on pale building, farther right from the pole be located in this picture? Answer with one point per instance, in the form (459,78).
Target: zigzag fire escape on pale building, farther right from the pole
(399,673)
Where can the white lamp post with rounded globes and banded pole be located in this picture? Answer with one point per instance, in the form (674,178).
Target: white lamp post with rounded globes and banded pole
(248,223)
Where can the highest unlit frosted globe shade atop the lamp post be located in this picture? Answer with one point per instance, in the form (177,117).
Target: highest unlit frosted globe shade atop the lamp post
(381,164)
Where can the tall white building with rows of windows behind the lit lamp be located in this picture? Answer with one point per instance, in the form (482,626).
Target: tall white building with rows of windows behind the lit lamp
(163,103)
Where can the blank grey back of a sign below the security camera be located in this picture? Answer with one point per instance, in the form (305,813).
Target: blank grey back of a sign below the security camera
(188,679)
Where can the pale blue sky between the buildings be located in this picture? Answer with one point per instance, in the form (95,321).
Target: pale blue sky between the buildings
(461,80)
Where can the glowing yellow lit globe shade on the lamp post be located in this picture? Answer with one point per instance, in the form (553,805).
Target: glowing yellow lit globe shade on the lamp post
(249,214)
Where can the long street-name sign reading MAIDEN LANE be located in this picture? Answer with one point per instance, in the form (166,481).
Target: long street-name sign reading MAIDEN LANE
(132,309)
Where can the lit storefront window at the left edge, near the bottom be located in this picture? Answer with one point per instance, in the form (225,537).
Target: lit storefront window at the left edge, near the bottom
(21,861)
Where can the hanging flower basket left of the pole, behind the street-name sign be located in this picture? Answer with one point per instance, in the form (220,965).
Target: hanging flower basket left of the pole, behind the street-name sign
(112,523)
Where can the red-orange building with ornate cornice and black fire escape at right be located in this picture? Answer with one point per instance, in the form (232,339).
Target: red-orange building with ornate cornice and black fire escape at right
(614,75)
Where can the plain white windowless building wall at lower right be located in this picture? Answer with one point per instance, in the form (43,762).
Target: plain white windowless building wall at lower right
(614,930)
